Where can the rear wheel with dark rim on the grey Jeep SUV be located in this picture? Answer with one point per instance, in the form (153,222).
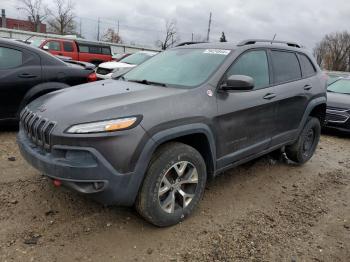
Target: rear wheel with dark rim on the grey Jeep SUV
(304,148)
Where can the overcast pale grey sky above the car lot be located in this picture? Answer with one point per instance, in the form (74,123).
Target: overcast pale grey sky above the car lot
(143,22)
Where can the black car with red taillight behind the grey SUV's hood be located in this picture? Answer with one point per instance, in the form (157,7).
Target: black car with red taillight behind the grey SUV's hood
(27,72)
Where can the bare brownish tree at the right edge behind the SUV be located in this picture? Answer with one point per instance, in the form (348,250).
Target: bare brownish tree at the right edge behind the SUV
(333,52)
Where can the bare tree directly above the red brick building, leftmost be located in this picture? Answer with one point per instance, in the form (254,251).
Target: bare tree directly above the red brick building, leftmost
(35,11)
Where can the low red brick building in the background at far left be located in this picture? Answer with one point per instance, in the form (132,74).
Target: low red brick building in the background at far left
(18,24)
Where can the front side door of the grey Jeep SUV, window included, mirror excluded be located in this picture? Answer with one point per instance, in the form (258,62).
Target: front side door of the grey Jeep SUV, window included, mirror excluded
(246,118)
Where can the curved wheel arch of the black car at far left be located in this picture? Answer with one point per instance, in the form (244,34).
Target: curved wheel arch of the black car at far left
(40,89)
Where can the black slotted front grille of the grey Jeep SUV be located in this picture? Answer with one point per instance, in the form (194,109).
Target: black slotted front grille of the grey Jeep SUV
(37,128)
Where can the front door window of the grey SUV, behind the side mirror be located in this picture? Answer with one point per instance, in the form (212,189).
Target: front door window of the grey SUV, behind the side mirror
(253,64)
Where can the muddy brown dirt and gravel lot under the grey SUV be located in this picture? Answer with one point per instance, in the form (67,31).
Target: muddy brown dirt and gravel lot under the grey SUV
(262,211)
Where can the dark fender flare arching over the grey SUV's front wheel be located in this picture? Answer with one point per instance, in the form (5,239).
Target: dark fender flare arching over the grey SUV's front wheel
(162,137)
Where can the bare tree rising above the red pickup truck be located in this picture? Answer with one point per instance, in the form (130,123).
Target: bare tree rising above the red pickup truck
(61,20)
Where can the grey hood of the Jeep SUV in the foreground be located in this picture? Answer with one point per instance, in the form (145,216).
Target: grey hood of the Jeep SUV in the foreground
(100,100)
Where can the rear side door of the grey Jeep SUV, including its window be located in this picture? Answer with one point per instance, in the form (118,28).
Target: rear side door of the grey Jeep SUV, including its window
(290,94)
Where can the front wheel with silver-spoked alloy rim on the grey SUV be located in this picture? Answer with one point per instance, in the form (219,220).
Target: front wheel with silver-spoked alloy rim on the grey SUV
(160,200)
